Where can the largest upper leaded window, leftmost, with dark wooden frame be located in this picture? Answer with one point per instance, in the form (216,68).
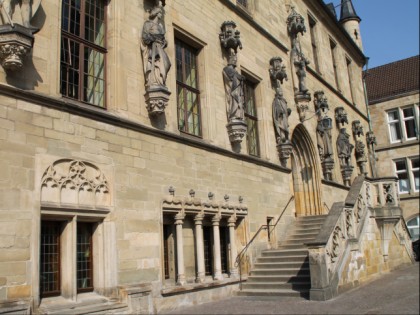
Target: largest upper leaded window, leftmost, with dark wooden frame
(83,51)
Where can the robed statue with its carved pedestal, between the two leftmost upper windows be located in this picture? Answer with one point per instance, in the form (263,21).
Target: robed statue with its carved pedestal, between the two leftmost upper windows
(156,63)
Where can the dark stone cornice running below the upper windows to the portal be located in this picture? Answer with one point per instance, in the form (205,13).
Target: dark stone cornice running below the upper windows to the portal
(99,114)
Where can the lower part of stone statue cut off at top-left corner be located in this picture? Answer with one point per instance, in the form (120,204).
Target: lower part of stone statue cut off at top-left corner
(9,8)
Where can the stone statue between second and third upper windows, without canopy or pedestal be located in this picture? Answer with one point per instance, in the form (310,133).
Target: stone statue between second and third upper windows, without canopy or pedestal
(234,85)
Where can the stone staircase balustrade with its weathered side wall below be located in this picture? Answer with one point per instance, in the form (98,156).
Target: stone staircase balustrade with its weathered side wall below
(341,255)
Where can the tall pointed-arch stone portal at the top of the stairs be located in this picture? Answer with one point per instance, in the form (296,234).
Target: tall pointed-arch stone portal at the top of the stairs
(306,175)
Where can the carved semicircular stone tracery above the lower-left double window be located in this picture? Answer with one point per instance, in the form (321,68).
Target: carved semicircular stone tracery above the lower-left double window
(76,183)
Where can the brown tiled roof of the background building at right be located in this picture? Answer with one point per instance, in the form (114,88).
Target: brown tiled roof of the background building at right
(393,79)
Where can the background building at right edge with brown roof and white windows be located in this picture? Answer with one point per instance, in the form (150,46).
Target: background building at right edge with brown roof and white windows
(393,93)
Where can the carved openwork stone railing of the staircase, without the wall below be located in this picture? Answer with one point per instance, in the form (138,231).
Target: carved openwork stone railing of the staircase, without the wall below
(344,227)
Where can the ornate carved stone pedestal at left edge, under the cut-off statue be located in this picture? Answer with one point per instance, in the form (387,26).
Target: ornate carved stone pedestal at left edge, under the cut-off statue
(15,44)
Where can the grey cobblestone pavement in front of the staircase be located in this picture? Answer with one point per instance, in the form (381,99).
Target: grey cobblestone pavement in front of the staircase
(394,293)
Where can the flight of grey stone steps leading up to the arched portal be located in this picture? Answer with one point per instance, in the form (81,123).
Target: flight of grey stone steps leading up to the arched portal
(285,271)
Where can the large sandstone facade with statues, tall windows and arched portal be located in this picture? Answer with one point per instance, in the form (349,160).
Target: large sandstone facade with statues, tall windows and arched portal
(144,143)
